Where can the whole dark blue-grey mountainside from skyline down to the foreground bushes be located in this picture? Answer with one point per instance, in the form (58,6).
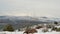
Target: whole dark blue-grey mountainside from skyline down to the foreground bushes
(22,21)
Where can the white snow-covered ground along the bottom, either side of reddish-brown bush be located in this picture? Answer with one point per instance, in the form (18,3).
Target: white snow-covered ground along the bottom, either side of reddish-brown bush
(39,32)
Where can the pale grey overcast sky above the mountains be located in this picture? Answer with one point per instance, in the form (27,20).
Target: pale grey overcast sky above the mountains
(49,8)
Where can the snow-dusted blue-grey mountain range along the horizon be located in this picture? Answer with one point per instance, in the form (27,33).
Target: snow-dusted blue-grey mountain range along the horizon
(22,19)
